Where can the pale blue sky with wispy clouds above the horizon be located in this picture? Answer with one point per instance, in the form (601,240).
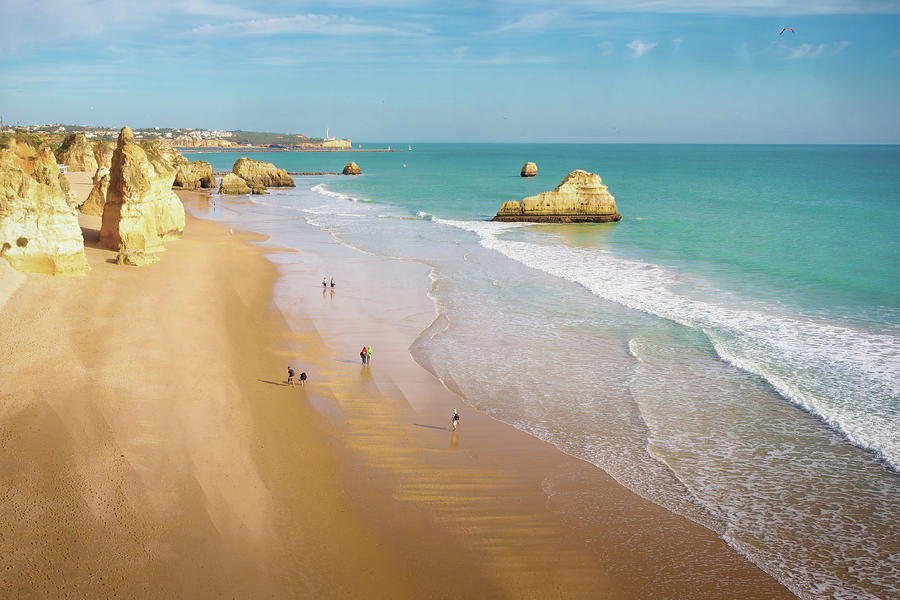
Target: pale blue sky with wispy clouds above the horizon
(643,71)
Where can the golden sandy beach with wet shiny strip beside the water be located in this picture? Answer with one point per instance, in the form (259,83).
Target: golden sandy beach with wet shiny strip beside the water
(151,447)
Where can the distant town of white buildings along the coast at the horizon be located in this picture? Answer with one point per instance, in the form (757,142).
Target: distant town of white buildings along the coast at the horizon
(188,138)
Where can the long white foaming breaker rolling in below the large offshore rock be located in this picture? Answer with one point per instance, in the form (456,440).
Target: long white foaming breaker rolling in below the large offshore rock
(847,377)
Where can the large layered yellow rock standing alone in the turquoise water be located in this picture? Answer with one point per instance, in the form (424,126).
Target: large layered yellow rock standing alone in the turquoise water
(580,198)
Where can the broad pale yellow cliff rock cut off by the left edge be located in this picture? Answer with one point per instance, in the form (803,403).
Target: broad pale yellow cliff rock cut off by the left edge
(39,229)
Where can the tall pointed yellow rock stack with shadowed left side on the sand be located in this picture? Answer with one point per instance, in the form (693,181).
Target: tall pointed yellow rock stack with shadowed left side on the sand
(141,210)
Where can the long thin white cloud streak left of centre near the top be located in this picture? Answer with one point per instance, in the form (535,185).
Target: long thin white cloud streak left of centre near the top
(311,24)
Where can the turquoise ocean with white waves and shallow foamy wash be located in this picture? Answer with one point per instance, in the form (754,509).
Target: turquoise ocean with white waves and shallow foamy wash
(729,350)
